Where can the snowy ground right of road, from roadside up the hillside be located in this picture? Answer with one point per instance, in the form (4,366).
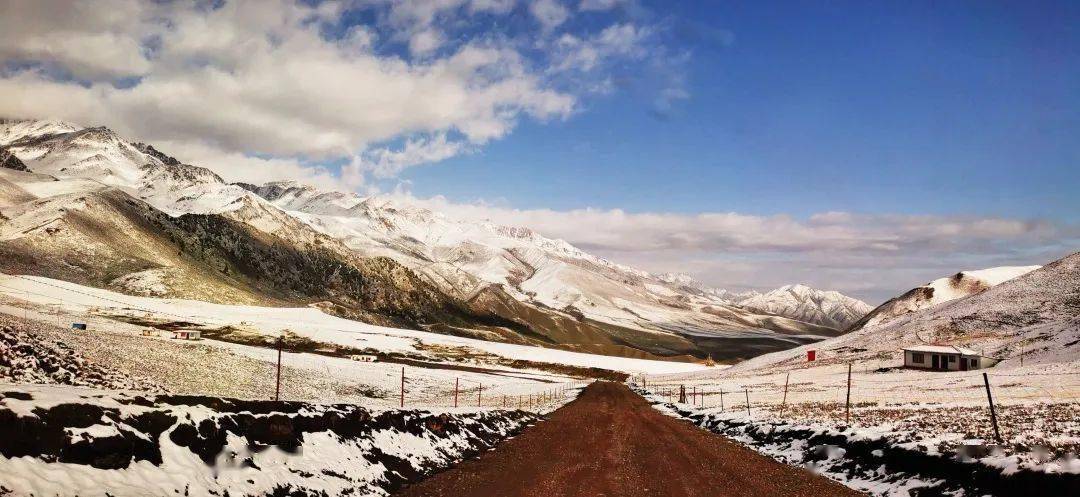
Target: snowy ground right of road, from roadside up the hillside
(1031,323)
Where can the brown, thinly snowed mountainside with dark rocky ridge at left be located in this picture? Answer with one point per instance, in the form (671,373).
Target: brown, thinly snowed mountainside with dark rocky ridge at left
(100,236)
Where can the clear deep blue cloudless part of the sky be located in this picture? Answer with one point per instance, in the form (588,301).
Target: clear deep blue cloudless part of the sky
(874,108)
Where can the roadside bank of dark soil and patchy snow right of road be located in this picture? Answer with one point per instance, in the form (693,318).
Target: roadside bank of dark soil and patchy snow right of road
(884,462)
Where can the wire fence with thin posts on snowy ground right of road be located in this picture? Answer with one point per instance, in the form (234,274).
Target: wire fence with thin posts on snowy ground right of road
(998,406)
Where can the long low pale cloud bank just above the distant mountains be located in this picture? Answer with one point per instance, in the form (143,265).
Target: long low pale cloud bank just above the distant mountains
(870,257)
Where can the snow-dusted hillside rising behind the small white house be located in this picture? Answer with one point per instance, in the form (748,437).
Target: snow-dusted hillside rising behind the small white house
(1036,315)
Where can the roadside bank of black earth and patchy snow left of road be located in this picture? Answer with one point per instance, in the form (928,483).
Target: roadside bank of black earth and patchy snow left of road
(67,441)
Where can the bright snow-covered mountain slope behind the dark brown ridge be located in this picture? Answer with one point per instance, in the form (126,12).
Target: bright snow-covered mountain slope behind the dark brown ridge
(467,259)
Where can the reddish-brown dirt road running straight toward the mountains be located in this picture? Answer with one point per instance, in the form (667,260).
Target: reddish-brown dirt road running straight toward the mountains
(612,444)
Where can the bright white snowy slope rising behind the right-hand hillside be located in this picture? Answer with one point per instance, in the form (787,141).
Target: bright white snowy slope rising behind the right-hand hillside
(941,291)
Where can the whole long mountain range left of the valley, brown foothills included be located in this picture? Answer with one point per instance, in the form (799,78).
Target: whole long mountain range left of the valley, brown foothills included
(88,206)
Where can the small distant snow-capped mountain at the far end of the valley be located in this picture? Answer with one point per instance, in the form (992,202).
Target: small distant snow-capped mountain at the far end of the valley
(805,304)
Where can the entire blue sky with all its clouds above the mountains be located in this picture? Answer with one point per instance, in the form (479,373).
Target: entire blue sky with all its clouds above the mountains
(867,147)
